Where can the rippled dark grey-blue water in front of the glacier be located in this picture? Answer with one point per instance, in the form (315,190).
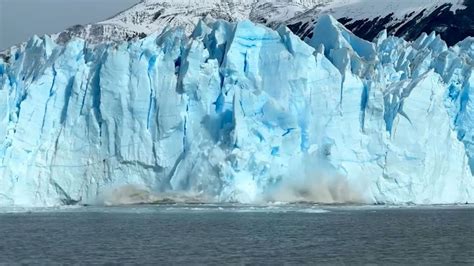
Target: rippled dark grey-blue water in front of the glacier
(239,235)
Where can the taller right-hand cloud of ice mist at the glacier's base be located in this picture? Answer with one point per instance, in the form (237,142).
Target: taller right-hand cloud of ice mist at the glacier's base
(315,180)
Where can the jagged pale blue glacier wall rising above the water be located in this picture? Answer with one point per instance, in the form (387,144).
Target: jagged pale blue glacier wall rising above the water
(239,112)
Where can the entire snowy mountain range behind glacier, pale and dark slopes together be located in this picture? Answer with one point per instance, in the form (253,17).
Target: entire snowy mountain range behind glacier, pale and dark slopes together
(366,18)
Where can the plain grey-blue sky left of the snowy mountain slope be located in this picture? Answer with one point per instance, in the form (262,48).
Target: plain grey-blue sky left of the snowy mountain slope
(21,19)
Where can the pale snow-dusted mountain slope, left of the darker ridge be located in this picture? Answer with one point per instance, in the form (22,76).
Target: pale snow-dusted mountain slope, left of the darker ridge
(151,16)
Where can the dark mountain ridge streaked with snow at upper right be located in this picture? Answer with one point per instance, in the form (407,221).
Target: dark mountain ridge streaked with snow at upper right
(452,19)
